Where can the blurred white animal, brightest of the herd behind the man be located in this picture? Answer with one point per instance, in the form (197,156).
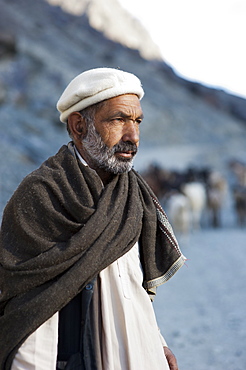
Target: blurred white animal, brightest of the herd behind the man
(196,193)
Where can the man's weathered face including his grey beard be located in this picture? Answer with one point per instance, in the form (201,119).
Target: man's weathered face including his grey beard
(112,142)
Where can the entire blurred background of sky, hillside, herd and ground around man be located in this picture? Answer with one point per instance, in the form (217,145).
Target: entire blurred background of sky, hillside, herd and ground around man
(190,59)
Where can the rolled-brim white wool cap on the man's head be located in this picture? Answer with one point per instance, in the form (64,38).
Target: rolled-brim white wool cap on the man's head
(95,85)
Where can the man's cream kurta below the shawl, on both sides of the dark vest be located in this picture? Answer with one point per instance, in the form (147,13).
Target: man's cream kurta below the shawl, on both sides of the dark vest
(130,336)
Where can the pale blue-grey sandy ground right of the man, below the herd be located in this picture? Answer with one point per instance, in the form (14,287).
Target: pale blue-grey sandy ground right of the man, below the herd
(201,310)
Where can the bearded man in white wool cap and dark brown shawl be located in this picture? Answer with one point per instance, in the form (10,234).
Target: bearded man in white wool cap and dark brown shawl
(84,243)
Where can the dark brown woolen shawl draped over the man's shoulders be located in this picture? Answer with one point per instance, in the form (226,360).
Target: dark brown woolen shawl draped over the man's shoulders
(60,229)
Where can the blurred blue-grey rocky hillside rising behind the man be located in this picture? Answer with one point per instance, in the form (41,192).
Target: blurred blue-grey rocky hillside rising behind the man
(42,47)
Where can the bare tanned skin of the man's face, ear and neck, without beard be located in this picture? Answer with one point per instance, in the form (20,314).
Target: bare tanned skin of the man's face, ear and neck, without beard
(117,122)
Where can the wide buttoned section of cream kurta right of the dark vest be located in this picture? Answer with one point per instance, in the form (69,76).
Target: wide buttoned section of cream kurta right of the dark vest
(130,335)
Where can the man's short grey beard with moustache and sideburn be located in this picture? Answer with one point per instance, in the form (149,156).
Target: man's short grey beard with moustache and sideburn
(104,157)
